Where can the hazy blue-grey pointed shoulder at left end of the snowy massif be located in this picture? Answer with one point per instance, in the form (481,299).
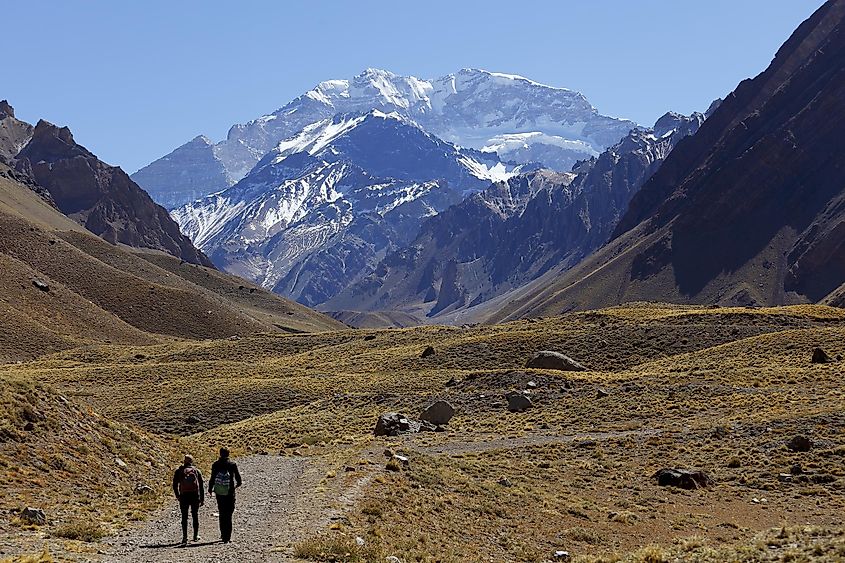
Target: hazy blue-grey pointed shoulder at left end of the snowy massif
(202,172)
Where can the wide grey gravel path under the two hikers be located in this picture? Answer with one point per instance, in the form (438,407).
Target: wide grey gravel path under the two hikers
(277,506)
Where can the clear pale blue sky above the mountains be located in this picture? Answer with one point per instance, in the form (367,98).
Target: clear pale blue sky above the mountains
(135,79)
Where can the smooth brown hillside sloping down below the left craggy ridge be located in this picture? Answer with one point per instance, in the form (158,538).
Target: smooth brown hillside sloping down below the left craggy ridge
(99,292)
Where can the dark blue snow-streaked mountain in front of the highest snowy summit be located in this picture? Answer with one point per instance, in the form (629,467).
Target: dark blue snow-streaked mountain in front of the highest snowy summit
(320,211)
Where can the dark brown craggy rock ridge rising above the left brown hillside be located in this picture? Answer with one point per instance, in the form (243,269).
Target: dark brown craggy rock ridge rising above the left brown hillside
(99,196)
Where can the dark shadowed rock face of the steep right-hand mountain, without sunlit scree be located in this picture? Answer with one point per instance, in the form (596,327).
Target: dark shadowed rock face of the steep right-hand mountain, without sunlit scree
(769,164)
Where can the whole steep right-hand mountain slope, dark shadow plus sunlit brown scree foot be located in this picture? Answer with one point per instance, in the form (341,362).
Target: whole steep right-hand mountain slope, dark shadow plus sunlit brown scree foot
(747,211)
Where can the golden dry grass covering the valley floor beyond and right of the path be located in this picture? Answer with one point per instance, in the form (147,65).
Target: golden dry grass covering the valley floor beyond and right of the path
(717,389)
